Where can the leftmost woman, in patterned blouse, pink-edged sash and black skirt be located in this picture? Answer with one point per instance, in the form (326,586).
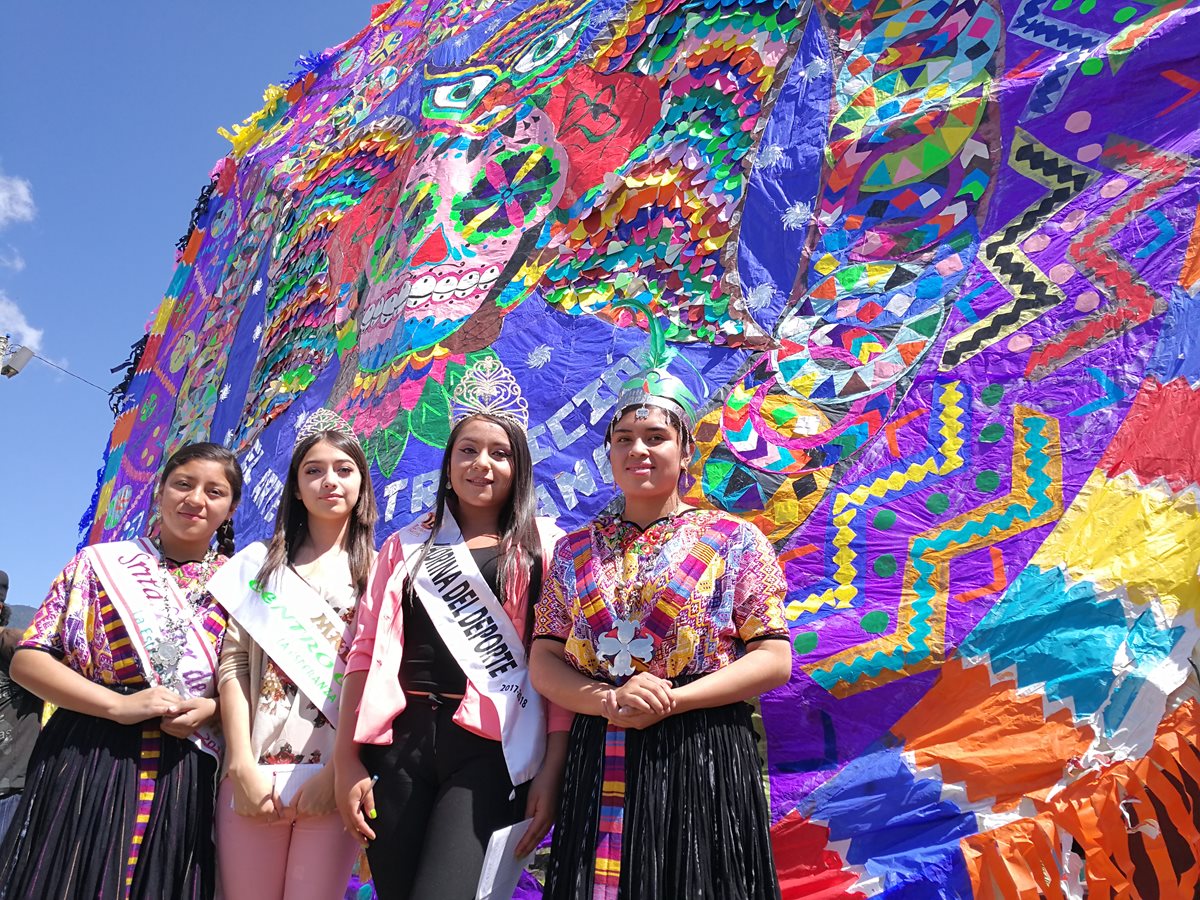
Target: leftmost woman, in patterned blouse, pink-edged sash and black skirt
(119,796)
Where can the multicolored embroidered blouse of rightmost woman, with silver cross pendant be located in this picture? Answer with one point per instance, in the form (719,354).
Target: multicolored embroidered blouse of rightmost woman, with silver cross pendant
(682,598)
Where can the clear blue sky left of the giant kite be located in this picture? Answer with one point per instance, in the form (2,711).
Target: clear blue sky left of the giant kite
(109,118)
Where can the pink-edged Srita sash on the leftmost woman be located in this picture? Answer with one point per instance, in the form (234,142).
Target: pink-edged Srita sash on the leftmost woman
(134,581)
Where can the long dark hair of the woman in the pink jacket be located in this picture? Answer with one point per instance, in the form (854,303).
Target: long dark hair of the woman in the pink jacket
(520,550)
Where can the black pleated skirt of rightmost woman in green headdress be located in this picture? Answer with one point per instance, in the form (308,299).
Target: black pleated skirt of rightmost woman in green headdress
(697,824)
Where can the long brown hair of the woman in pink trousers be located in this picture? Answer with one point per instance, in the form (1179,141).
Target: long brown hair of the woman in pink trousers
(292,519)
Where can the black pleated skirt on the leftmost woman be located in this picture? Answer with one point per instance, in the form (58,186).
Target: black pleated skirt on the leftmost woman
(77,824)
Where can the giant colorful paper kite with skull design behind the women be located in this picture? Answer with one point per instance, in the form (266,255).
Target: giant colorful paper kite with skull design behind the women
(932,266)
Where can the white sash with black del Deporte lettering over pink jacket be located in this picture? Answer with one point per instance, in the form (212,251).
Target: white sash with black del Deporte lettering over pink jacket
(483,639)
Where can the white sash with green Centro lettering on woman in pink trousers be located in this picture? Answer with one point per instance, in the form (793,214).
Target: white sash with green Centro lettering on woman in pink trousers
(296,627)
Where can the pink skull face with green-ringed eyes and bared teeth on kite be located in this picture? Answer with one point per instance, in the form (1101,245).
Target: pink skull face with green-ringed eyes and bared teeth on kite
(488,173)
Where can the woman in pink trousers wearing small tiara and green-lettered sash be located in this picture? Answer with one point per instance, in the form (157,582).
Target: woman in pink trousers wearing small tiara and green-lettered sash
(291,605)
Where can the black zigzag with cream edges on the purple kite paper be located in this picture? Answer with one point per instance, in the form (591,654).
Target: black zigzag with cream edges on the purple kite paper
(1034,295)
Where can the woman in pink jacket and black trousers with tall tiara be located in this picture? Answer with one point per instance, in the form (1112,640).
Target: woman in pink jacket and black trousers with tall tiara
(446,741)
